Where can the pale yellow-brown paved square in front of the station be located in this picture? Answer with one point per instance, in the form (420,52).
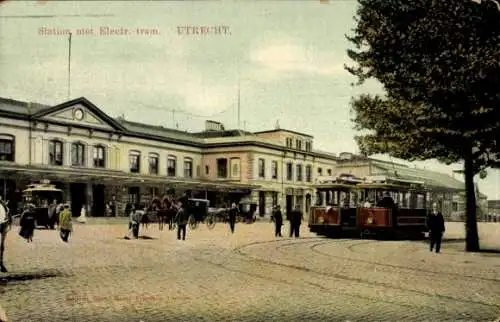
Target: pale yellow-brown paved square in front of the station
(247,276)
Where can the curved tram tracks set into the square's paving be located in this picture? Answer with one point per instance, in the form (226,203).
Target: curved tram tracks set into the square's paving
(245,256)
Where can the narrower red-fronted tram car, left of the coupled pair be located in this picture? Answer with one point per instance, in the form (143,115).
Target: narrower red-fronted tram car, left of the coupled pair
(335,211)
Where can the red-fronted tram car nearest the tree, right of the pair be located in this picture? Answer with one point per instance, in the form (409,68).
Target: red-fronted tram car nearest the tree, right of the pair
(393,207)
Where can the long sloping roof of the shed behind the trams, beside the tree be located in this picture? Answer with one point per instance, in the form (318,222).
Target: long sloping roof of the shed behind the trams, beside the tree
(432,179)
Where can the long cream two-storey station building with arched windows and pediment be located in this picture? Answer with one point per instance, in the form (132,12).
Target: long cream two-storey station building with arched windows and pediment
(95,158)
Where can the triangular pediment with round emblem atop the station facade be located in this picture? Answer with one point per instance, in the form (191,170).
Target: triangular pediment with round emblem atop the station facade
(79,112)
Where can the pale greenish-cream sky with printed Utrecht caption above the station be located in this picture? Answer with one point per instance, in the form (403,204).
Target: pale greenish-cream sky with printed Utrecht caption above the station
(286,57)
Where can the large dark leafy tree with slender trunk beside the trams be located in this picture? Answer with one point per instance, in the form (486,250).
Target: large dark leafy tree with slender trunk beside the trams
(439,63)
